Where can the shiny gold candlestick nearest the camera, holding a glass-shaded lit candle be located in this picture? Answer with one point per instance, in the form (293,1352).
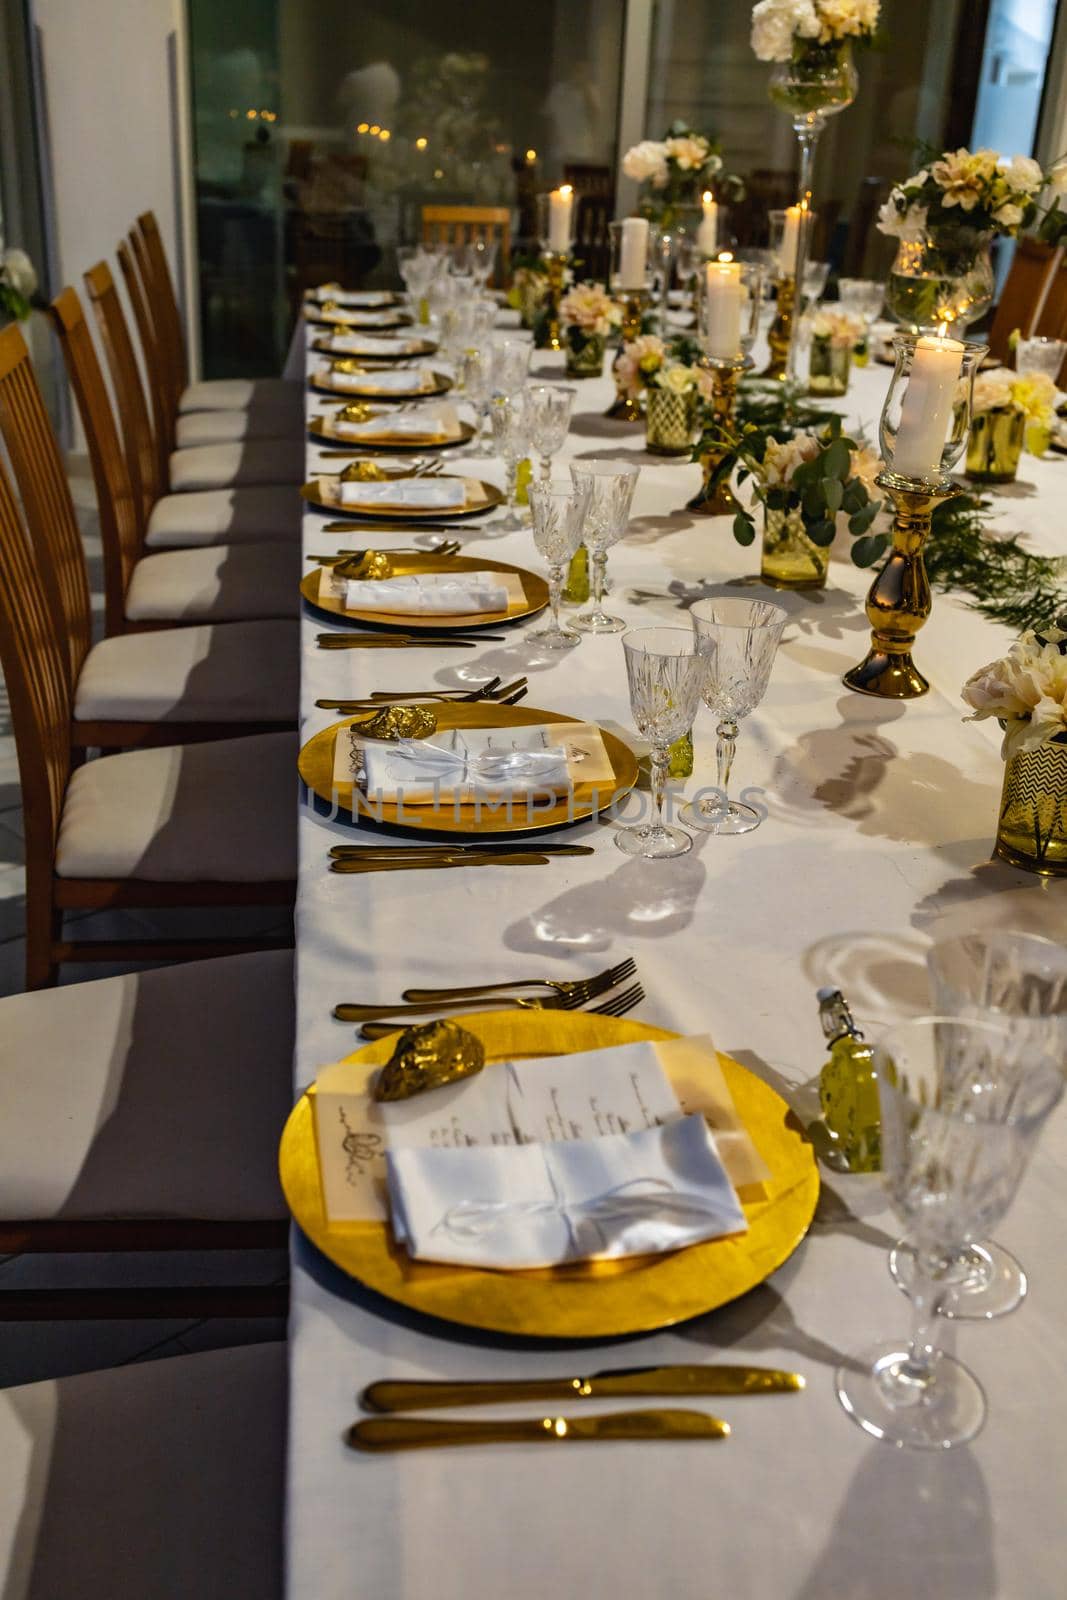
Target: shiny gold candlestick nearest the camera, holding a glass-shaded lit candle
(900,601)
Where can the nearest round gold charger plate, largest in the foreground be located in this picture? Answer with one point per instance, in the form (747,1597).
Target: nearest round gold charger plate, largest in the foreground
(585,1300)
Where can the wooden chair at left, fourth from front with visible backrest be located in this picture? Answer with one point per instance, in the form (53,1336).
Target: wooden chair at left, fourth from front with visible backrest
(225,516)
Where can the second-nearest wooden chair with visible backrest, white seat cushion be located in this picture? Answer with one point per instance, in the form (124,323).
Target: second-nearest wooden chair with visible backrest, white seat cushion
(186,684)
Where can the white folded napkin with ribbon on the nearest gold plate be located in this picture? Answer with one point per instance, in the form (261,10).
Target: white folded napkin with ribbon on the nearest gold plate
(537,1206)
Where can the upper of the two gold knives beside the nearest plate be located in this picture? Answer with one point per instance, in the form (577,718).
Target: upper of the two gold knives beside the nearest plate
(701,1380)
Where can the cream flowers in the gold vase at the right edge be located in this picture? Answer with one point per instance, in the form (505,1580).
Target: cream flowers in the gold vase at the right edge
(1026,690)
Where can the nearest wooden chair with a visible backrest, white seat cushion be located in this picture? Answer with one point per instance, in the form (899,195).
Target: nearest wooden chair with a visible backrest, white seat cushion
(202,825)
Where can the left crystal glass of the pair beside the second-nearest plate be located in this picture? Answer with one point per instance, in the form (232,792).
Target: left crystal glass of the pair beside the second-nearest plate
(666,676)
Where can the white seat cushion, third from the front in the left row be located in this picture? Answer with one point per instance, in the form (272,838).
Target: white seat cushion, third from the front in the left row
(214,812)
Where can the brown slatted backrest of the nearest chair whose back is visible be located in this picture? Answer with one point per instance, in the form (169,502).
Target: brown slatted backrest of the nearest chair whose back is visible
(39,690)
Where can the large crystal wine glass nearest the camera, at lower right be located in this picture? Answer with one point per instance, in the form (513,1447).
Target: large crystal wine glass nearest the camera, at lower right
(962,1108)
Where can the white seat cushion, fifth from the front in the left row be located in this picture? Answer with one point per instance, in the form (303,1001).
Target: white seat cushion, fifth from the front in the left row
(220,583)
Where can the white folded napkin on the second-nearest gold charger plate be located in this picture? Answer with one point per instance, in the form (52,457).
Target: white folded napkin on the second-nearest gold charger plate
(500,764)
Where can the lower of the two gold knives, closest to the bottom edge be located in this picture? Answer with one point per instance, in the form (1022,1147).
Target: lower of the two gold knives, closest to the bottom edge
(410,1433)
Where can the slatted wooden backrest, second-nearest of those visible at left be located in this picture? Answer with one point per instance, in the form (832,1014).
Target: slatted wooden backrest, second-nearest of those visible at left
(42,482)
